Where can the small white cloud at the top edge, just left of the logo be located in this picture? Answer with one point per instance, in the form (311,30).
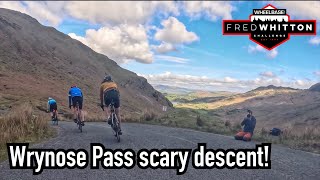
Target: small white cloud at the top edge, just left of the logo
(210,9)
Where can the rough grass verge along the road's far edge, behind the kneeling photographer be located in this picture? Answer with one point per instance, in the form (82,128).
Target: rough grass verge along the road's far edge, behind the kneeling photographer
(202,120)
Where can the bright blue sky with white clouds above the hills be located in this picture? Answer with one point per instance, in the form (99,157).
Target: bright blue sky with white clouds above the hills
(181,43)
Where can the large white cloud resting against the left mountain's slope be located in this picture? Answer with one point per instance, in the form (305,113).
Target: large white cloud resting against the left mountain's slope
(120,43)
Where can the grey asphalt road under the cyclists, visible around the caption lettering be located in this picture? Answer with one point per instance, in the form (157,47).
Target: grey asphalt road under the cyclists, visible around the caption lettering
(286,163)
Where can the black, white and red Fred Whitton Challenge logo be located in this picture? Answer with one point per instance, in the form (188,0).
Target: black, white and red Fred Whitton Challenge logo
(269,27)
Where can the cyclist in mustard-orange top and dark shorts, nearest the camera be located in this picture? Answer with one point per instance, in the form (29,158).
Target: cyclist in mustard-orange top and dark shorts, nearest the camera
(109,92)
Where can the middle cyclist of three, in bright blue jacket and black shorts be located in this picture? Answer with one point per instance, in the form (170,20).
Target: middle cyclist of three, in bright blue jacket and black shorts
(76,96)
